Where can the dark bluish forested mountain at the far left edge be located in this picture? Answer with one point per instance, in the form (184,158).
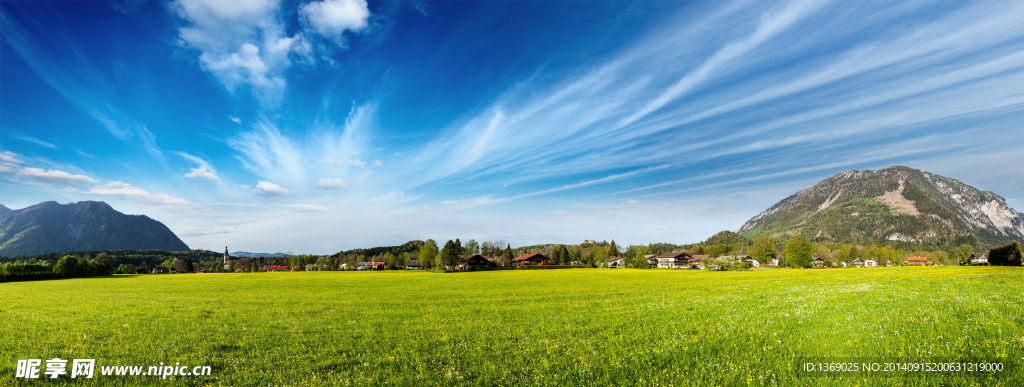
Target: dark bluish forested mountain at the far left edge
(51,227)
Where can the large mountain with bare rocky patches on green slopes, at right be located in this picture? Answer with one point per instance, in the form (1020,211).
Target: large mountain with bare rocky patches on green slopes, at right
(892,205)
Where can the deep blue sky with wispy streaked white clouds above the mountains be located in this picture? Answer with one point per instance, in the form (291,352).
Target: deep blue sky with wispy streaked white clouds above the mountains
(330,125)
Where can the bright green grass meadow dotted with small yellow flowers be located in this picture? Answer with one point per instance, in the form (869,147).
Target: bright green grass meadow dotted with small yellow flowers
(552,328)
